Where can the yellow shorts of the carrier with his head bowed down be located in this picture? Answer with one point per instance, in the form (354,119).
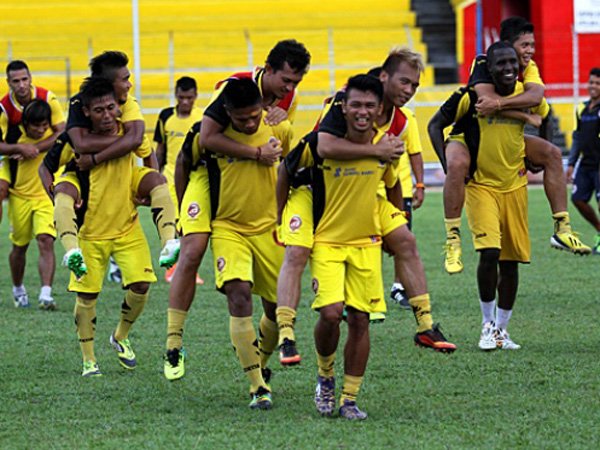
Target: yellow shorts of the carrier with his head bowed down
(256,259)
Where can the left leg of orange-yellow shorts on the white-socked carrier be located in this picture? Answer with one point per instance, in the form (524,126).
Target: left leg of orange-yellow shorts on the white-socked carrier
(483,215)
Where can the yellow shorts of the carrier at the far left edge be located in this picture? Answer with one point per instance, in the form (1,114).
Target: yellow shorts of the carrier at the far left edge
(30,218)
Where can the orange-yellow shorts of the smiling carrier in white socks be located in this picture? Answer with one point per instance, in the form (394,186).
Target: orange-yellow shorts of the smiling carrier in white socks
(499,220)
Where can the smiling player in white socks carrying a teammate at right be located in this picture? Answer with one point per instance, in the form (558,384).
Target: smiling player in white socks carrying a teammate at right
(496,195)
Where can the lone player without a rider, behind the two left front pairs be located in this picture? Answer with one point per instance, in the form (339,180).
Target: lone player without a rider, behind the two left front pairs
(171,128)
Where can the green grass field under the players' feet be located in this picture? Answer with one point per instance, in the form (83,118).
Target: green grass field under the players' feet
(542,396)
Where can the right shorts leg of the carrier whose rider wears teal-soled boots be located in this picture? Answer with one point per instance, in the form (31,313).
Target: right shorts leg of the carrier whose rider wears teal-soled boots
(132,254)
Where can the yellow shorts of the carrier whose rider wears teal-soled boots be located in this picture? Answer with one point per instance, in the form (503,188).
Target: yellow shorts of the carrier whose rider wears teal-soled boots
(131,252)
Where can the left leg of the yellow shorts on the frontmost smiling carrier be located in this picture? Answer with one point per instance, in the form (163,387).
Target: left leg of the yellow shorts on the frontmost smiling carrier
(328,269)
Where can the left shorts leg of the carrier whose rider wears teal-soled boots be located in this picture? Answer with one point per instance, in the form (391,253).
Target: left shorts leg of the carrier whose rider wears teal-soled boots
(96,255)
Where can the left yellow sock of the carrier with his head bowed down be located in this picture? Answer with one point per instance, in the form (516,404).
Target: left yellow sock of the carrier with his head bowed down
(243,338)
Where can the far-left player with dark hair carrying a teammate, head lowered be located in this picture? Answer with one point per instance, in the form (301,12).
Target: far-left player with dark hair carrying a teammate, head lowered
(30,210)
